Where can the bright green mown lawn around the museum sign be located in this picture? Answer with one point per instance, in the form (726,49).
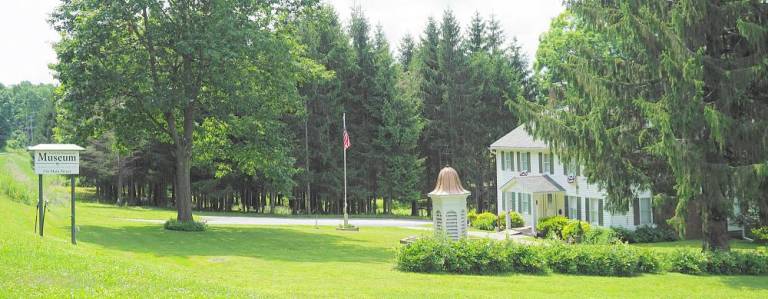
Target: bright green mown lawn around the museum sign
(119,258)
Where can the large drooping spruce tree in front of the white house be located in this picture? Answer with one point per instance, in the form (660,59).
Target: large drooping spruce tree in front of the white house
(682,82)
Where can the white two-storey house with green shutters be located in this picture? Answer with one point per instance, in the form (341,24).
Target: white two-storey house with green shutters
(532,181)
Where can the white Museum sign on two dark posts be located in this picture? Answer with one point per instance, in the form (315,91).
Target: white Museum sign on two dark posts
(56,159)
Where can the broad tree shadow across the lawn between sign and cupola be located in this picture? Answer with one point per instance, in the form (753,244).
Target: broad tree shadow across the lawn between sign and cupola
(269,243)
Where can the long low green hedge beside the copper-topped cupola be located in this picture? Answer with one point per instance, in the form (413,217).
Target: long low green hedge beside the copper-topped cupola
(489,257)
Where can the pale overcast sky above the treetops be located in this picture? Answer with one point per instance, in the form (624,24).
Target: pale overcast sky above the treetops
(26,37)
